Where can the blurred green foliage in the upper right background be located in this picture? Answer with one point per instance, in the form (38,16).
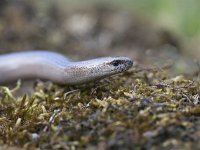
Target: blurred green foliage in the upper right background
(179,15)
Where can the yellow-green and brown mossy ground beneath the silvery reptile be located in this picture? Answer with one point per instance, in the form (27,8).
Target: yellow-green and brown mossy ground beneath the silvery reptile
(143,108)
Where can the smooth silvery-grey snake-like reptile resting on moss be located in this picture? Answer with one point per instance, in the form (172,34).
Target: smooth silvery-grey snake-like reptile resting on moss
(57,68)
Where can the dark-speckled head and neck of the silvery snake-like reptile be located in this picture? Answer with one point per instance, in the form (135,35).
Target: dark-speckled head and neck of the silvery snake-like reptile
(91,70)
